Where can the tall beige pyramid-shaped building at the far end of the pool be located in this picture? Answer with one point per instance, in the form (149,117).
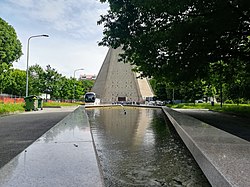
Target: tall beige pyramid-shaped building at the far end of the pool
(116,82)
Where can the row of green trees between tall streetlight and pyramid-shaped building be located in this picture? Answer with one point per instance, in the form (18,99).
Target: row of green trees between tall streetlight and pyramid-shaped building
(51,82)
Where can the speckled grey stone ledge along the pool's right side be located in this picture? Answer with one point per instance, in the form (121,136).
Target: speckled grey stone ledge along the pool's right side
(224,158)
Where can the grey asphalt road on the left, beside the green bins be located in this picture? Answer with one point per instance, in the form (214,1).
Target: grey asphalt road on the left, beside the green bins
(18,131)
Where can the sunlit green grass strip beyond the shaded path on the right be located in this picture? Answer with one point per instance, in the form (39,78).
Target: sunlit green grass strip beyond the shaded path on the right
(241,109)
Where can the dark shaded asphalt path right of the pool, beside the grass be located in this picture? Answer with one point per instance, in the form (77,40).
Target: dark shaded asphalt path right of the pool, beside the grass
(238,126)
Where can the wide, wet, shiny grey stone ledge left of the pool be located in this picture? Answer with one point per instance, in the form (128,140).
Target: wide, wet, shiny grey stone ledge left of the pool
(63,156)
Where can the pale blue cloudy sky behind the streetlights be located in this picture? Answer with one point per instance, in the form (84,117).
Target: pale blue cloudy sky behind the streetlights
(72,28)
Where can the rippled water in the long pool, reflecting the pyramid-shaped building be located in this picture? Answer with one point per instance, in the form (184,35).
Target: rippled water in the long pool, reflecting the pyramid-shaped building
(141,148)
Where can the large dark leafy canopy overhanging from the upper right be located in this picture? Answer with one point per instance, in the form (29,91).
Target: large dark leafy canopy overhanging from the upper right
(178,40)
